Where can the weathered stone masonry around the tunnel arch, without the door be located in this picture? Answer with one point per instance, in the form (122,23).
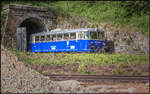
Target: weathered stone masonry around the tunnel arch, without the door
(23,15)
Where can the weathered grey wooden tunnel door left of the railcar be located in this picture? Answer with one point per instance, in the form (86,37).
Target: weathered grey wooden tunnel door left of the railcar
(21,43)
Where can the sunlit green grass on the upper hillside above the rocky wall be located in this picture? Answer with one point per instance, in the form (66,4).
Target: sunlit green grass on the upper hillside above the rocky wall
(112,13)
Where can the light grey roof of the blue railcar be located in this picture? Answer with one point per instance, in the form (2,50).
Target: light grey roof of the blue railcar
(59,31)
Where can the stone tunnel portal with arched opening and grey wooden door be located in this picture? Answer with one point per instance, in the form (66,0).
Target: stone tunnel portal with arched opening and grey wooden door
(28,19)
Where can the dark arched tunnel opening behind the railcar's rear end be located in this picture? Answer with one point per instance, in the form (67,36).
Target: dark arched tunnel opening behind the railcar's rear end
(32,25)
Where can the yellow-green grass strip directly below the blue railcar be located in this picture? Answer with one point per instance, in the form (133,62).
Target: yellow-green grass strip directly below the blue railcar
(64,59)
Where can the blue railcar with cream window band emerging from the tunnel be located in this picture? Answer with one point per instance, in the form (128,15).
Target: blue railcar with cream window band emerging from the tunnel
(73,40)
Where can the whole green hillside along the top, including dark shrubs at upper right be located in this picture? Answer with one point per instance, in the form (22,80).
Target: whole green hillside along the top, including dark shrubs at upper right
(131,15)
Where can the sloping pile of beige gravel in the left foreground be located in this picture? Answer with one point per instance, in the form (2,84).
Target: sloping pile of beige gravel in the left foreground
(16,77)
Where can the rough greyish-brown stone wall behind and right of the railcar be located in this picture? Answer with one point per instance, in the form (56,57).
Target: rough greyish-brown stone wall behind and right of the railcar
(125,41)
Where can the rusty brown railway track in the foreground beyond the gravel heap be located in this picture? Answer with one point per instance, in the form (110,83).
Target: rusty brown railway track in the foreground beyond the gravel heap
(99,78)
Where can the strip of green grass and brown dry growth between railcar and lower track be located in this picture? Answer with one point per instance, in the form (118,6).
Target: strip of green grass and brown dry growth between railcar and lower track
(86,63)
